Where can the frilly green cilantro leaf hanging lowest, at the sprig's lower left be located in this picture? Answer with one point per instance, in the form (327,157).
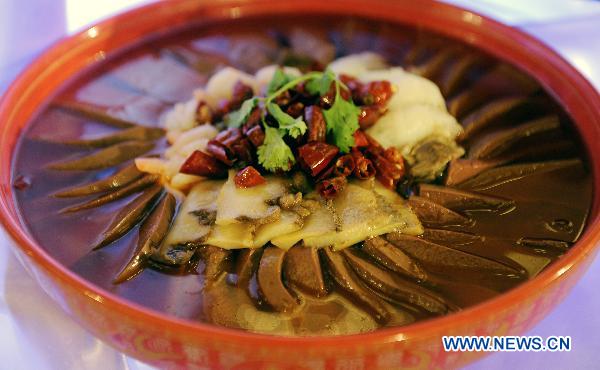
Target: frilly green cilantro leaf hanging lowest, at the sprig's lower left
(274,154)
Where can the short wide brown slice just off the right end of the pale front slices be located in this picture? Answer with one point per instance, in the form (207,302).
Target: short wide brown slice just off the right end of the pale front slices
(432,214)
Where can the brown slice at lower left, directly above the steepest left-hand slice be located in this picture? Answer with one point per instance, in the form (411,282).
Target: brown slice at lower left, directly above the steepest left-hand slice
(129,216)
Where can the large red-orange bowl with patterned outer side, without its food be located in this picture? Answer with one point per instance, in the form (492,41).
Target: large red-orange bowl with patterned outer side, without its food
(169,342)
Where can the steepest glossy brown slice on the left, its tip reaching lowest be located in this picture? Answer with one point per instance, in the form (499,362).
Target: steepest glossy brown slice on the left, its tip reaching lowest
(151,234)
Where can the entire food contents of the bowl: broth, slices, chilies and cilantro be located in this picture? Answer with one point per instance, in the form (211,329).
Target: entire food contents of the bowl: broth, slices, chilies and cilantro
(312,178)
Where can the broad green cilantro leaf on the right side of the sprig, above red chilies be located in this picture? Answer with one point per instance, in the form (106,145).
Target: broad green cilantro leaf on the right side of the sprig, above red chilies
(342,122)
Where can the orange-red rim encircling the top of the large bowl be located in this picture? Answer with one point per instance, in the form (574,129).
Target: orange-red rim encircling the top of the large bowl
(538,51)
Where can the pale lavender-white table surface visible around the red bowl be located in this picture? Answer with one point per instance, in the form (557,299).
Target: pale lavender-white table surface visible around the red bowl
(36,334)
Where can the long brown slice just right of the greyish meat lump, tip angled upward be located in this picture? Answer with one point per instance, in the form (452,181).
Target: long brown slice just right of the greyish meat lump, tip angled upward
(495,143)
